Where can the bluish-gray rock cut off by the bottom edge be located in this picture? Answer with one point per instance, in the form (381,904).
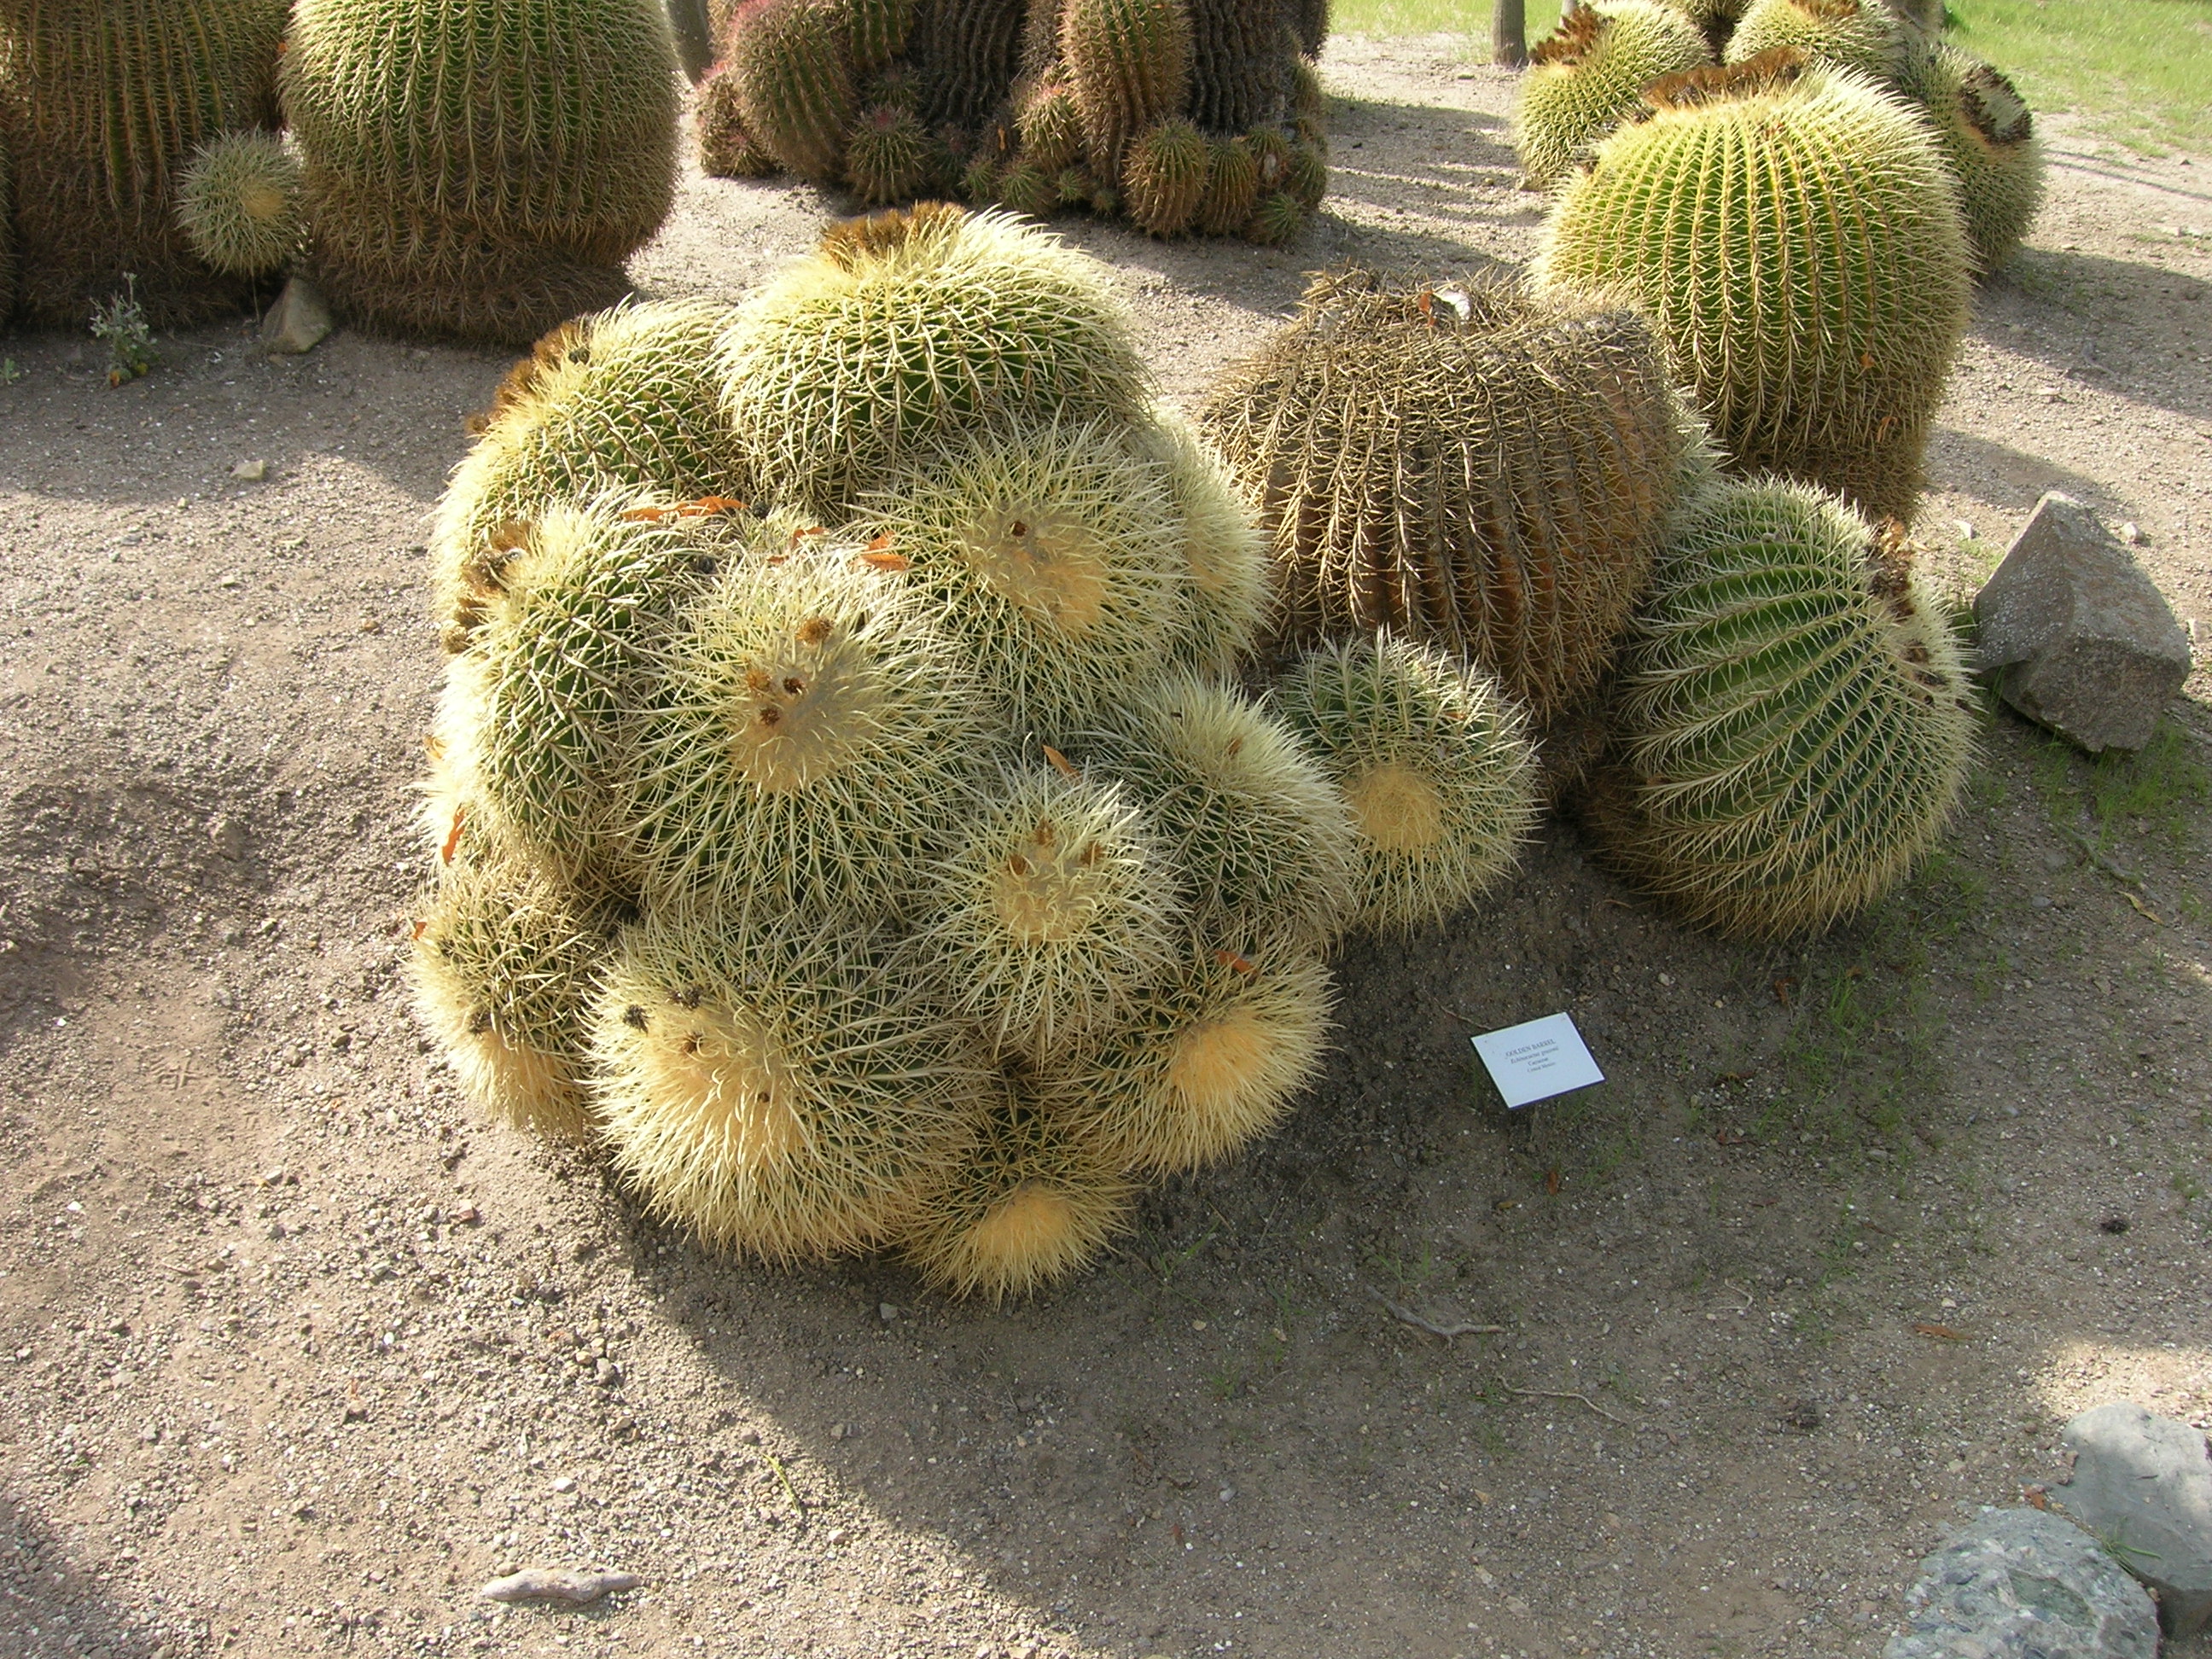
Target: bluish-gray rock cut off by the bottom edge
(2025,1585)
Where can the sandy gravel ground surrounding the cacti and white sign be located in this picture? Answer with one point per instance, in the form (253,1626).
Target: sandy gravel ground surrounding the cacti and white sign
(295,1353)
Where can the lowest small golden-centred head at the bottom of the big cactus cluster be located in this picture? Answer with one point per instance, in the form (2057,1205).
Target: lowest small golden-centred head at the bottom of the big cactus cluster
(1032,1204)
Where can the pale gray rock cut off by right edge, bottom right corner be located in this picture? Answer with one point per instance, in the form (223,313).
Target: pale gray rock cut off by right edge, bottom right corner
(2145,1485)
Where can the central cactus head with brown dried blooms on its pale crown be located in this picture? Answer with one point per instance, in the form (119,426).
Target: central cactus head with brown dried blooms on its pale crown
(811,747)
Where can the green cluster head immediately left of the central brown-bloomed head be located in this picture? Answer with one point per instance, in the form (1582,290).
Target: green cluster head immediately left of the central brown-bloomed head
(563,660)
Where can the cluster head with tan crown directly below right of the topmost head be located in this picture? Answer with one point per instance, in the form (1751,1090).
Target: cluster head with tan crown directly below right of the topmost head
(1056,565)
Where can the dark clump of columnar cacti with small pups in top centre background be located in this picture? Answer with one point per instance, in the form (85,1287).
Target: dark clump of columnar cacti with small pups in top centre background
(1187,116)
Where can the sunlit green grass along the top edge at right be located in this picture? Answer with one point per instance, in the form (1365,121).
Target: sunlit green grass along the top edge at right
(2131,70)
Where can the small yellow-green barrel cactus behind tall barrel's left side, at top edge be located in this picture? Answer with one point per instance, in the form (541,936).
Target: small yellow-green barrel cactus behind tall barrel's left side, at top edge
(1592,76)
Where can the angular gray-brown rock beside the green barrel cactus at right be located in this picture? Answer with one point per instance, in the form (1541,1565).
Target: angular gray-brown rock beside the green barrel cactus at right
(2076,636)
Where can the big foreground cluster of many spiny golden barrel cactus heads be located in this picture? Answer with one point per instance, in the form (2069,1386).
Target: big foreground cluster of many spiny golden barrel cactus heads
(844,815)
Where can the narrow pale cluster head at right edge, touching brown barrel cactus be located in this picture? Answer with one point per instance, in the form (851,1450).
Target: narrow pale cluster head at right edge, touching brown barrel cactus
(1224,547)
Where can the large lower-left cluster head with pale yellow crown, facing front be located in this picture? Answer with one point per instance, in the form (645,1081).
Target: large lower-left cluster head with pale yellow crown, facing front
(775,1087)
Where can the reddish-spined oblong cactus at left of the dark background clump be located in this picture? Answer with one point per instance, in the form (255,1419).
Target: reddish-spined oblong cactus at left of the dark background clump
(795,83)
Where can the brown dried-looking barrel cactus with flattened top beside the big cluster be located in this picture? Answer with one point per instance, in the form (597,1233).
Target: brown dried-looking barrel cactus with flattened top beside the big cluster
(1461,463)
